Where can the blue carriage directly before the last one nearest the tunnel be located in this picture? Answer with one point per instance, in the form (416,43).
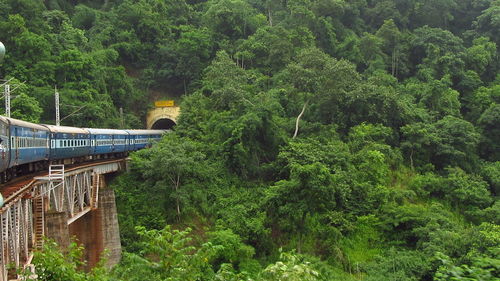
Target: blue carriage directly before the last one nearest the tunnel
(108,142)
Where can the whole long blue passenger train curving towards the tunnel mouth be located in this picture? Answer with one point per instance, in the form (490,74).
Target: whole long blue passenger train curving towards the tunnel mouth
(27,147)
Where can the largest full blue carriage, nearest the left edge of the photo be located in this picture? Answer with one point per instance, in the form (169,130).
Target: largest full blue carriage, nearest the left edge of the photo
(28,146)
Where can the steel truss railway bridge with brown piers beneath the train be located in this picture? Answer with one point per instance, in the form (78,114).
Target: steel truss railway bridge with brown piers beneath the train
(60,204)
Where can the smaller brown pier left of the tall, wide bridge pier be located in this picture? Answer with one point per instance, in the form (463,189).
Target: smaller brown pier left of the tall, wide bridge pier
(56,228)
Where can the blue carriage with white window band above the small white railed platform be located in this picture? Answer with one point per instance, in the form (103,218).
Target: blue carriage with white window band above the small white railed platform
(68,145)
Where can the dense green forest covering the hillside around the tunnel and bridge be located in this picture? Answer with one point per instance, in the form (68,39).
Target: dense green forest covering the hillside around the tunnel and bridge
(318,139)
